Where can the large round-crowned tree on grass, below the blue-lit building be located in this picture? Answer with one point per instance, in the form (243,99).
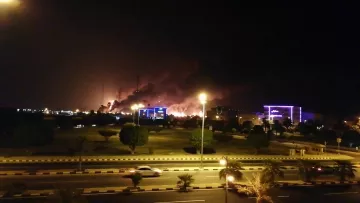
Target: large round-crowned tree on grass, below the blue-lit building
(133,136)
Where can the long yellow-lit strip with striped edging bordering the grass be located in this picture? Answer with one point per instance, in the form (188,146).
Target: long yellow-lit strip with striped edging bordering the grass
(160,158)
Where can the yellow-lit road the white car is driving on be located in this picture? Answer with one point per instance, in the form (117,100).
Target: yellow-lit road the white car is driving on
(116,180)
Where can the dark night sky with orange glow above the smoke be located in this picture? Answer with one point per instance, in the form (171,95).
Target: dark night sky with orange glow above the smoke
(59,53)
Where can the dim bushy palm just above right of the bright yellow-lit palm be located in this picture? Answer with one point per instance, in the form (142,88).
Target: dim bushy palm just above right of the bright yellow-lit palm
(271,170)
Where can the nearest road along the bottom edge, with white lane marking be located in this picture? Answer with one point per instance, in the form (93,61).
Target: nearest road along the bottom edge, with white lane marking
(293,195)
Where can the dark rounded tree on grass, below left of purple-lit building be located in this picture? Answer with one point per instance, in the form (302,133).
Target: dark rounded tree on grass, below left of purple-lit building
(258,138)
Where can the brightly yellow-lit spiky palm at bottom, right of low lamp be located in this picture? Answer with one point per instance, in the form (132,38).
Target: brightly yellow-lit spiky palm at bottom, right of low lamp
(258,188)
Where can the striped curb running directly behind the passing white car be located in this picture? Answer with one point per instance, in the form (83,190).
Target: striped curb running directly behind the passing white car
(122,171)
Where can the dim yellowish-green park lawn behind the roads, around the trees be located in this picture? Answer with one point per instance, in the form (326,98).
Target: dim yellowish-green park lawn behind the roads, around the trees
(165,142)
